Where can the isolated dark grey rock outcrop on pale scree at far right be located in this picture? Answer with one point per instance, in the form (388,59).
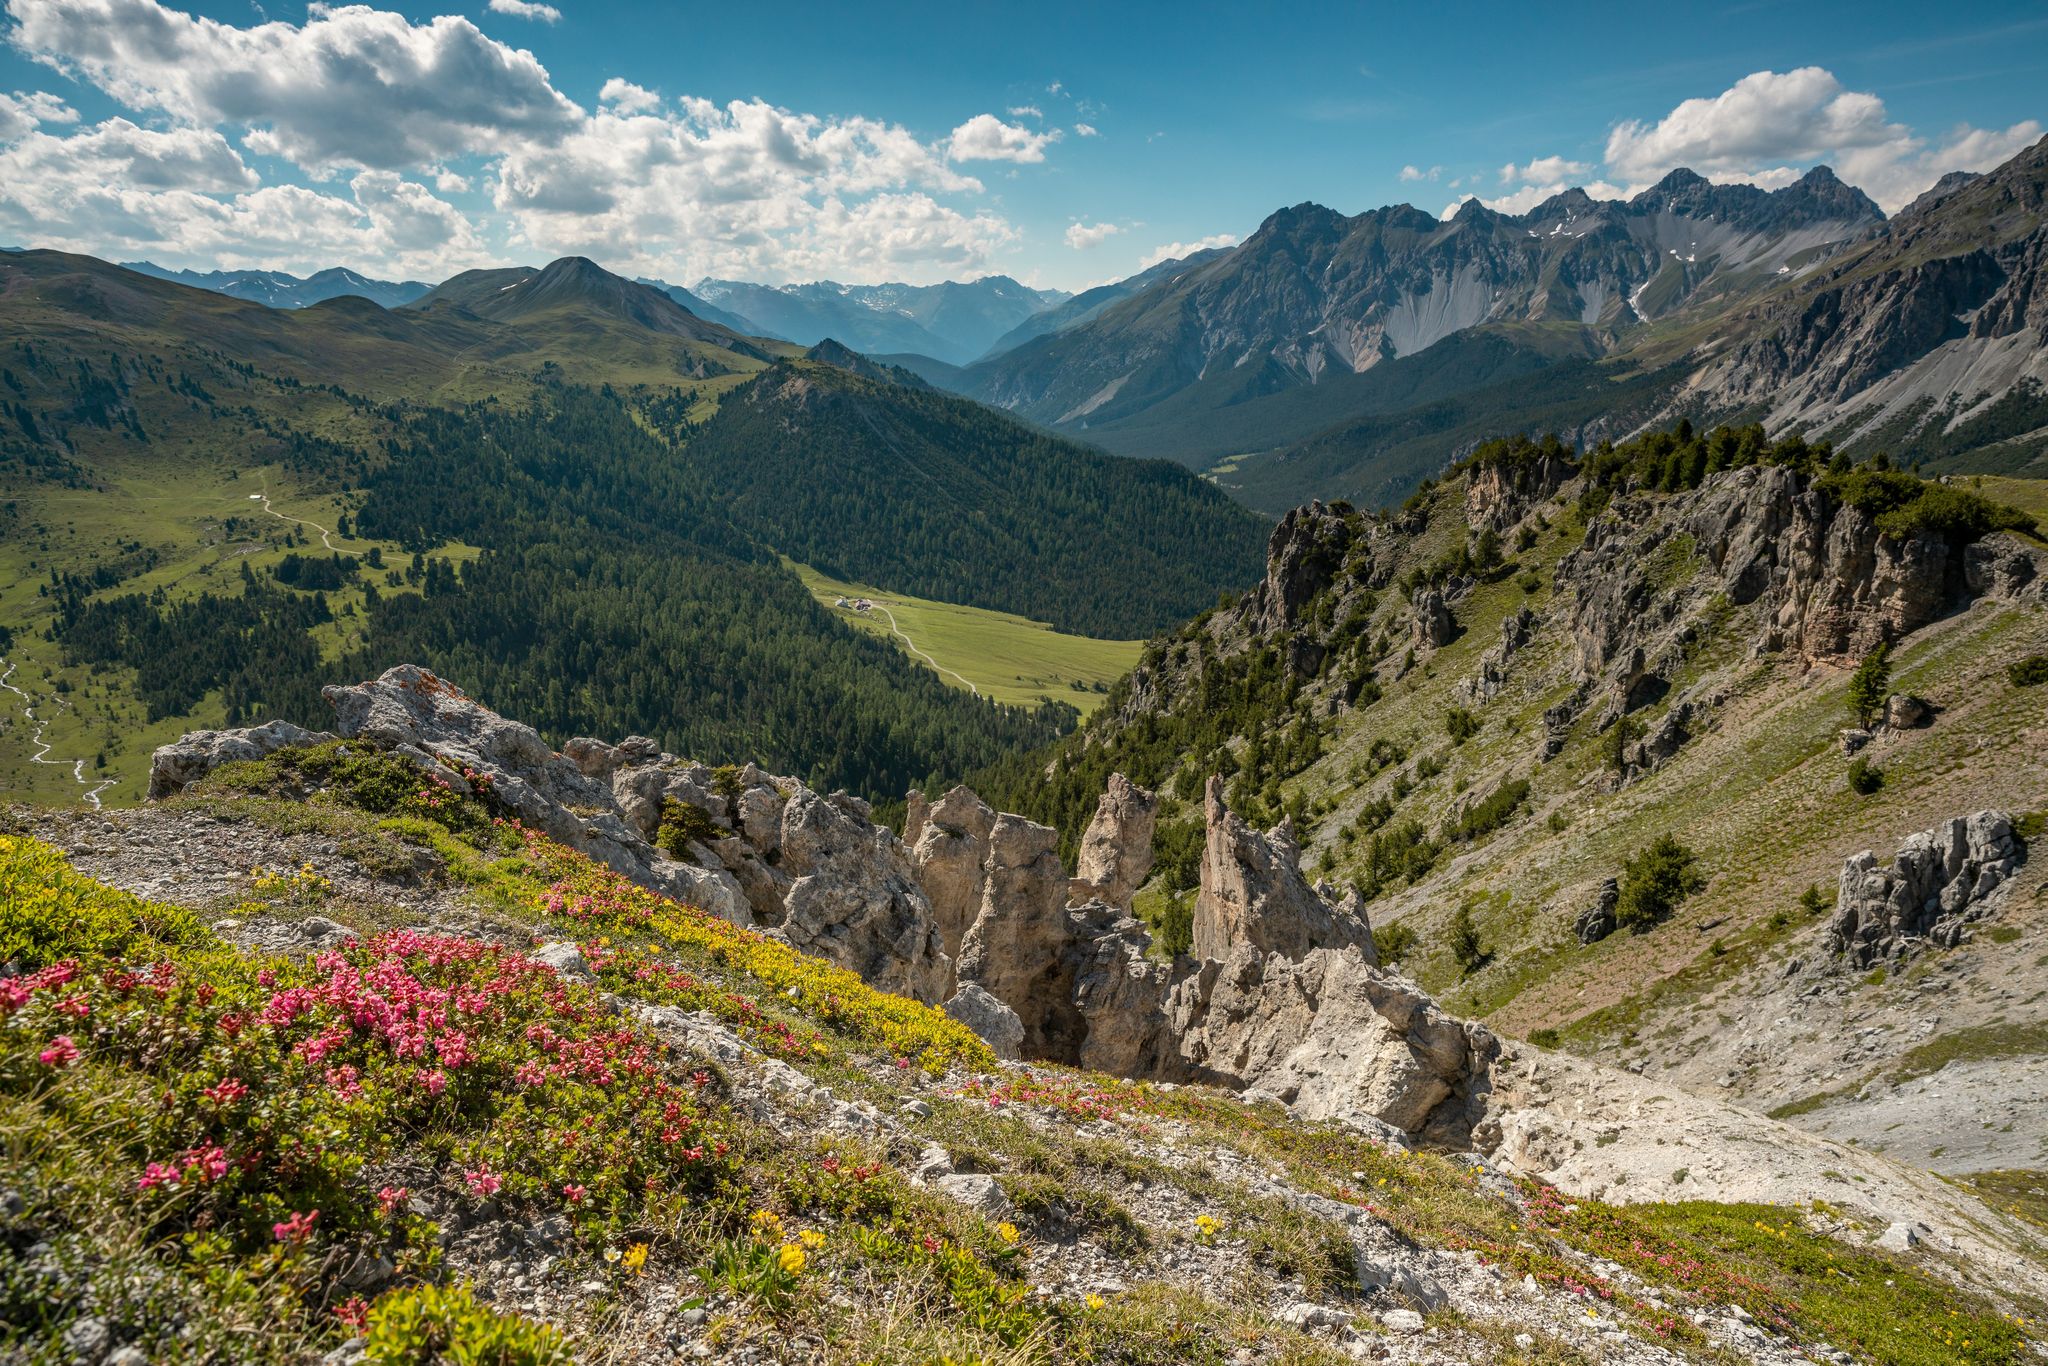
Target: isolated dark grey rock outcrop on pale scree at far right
(1936,884)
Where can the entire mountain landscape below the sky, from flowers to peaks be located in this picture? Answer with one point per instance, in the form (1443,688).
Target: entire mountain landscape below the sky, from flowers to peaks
(1406,789)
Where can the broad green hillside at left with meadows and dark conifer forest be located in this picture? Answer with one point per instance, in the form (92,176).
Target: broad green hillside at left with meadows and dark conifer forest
(214,507)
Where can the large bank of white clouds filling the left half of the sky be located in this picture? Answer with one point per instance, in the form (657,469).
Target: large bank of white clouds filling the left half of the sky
(386,118)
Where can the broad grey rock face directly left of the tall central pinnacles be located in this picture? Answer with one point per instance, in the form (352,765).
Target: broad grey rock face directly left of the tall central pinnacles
(855,898)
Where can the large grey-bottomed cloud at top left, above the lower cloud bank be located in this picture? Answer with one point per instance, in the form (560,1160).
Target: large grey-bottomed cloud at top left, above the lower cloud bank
(349,89)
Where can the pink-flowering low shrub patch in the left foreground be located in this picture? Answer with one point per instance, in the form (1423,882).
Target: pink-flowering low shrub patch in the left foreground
(253,1099)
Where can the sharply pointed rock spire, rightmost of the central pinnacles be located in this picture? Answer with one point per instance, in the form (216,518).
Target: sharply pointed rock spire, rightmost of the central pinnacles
(1256,896)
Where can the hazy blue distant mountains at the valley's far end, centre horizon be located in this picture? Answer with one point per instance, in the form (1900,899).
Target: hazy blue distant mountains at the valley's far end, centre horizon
(949,323)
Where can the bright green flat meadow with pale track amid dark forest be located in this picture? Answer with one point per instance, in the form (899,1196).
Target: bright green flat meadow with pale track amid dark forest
(1011,658)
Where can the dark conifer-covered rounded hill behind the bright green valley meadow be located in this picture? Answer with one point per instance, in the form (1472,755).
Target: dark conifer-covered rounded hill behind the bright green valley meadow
(931,495)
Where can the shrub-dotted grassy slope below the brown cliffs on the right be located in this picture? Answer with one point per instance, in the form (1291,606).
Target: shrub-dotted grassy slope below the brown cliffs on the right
(1762,798)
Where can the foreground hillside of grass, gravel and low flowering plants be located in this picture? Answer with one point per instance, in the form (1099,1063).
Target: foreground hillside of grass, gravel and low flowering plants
(1101,1172)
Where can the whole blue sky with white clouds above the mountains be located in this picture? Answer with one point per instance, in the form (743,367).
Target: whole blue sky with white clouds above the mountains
(863,142)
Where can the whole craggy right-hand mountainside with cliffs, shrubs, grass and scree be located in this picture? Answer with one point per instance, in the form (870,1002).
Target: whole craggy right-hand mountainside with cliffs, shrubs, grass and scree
(1490,703)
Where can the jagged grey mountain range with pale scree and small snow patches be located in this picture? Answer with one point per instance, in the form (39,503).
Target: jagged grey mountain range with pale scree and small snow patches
(1314,294)
